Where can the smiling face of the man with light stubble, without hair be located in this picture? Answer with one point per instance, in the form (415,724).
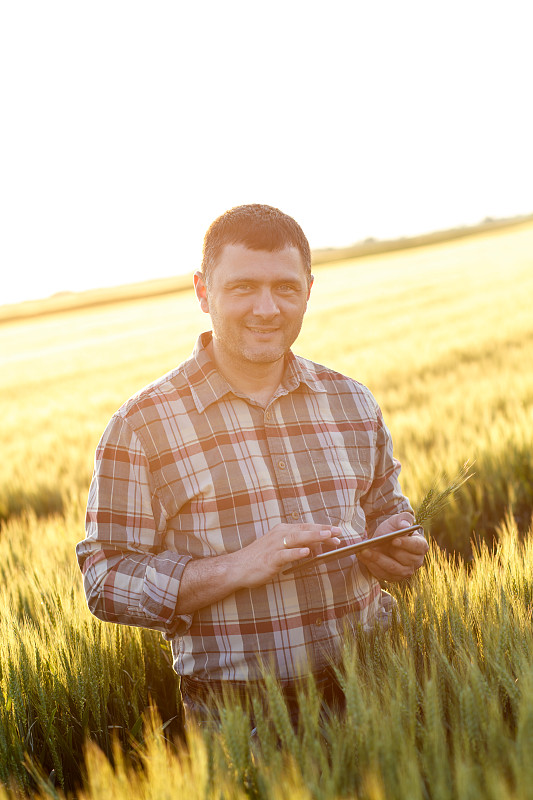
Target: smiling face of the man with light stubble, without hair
(257,301)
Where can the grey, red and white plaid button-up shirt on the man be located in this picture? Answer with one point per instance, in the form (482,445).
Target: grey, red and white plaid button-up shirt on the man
(189,468)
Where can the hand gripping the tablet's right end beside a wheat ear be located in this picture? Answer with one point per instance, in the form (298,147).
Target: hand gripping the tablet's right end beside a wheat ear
(398,559)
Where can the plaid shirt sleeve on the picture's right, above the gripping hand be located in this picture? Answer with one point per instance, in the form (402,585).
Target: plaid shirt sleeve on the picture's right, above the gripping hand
(385,497)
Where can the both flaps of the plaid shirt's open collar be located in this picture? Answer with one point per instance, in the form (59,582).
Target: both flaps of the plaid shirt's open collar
(208,386)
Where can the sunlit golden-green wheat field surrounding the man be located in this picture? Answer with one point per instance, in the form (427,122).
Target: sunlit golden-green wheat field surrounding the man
(442,707)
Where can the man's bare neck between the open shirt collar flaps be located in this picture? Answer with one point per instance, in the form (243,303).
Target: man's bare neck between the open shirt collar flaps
(259,381)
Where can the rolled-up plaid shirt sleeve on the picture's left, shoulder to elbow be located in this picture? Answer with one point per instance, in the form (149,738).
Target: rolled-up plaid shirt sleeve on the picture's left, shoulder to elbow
(129,576)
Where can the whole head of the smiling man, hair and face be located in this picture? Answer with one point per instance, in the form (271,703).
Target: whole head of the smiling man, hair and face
(255,285)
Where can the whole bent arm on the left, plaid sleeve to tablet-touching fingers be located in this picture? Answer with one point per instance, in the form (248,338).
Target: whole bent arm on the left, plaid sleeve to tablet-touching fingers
(131,579)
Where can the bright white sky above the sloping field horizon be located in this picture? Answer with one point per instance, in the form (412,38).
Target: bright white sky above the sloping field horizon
(128,126)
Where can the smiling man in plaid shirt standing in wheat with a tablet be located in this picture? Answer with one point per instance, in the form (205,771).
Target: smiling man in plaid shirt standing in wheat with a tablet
(244,460)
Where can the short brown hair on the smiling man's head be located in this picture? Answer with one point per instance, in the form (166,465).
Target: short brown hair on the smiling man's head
(257,227)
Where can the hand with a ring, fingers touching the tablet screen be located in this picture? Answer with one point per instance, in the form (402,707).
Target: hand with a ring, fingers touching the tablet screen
(261,561)
